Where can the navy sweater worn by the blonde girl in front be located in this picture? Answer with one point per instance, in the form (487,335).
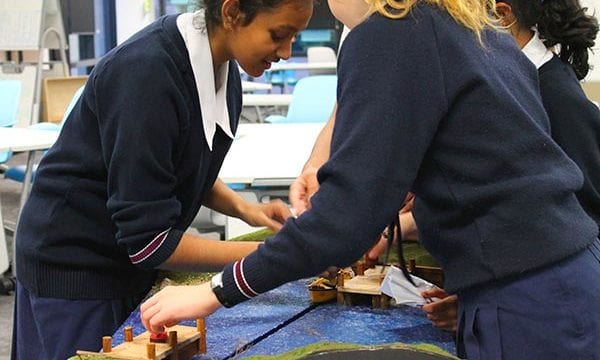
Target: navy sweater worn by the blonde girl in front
(423,106)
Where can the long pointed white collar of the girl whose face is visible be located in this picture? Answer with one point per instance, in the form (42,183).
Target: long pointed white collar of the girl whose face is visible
(213,102)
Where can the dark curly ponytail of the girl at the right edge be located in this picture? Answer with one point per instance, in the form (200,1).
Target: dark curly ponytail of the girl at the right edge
(565,22)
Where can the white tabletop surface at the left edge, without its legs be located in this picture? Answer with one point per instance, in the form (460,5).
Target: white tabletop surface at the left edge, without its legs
(24,139)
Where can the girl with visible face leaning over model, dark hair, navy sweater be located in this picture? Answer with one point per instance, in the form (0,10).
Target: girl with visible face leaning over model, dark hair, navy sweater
(138,156)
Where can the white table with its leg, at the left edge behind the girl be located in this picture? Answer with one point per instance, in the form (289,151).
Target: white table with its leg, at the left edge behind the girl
(30,141)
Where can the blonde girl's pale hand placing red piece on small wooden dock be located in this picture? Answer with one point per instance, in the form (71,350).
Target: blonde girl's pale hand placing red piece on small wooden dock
(177,303)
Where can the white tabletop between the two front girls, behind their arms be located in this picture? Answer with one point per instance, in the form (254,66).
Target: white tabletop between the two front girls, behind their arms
(269,154)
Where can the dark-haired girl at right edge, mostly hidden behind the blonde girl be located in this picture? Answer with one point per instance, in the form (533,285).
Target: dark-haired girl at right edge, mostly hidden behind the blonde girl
(537,26)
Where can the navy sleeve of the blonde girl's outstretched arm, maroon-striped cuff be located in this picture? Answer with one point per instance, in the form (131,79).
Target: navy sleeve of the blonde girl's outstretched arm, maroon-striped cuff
(391,99)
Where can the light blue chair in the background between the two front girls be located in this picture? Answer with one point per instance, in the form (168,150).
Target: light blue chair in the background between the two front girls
(313,100)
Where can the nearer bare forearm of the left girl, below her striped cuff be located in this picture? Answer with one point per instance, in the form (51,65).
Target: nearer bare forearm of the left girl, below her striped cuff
(196,254)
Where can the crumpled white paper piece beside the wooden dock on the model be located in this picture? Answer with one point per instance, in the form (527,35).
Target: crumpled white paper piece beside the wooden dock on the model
(398,287)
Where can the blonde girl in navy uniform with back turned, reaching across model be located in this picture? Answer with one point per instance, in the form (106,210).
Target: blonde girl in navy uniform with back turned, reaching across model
(432,98)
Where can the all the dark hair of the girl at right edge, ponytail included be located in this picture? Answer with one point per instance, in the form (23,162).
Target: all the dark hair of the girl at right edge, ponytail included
(561,22)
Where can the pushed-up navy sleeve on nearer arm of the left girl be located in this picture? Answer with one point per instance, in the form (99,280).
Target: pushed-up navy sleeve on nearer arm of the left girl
(140,109)
